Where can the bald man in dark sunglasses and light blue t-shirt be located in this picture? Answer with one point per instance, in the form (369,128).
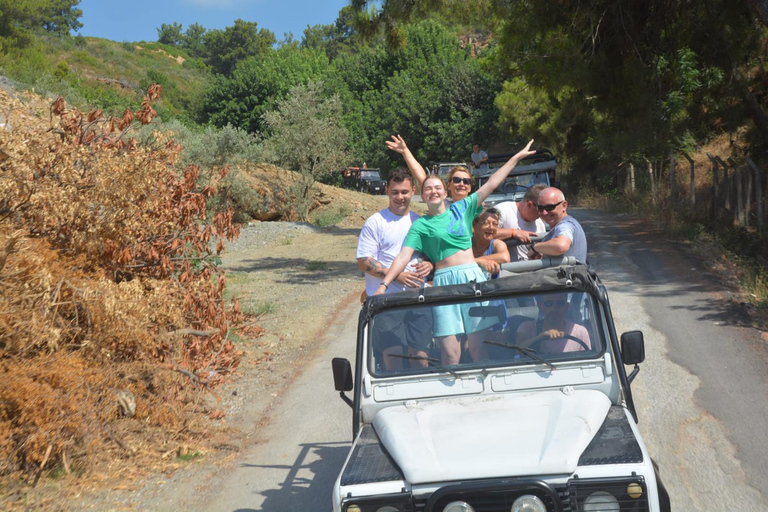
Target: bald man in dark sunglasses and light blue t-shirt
(566,236)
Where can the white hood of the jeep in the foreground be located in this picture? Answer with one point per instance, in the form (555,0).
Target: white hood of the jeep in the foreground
(536,433)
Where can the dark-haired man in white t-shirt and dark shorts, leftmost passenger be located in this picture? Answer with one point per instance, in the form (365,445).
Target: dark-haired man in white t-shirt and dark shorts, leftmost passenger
(380,241)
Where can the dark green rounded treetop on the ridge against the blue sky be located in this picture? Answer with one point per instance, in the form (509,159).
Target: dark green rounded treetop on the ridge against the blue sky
(225,48)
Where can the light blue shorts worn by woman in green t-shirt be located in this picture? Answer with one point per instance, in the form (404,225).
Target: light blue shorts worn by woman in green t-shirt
(455,319)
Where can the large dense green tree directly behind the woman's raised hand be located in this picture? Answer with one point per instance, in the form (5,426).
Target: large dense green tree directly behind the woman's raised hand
(430,91)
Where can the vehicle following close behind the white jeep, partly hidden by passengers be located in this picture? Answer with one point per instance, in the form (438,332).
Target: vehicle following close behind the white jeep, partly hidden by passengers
(538,168)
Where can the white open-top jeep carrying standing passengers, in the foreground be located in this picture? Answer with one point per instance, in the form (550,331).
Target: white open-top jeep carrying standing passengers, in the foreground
(542,422)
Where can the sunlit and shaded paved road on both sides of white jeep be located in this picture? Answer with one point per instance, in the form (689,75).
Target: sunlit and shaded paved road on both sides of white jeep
(701,394)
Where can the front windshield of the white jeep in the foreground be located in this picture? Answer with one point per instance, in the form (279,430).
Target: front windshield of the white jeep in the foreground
(530,329)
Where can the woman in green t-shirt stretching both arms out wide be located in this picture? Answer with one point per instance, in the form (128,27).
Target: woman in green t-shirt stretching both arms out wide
(445,237)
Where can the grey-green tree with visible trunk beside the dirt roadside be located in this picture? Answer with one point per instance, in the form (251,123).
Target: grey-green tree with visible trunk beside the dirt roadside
(307,136)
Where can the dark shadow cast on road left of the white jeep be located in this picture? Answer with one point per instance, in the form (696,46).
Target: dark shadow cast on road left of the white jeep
(308,482)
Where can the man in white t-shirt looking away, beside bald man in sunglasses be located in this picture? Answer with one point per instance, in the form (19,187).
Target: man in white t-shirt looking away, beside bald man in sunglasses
(520,220)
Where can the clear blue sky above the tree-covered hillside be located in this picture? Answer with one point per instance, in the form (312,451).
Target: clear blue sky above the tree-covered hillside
(138,20)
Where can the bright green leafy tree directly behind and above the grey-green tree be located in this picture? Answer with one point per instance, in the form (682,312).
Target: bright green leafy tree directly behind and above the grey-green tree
(257,84)
